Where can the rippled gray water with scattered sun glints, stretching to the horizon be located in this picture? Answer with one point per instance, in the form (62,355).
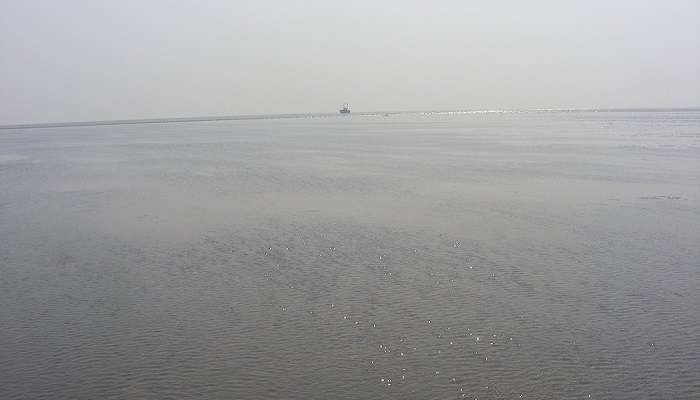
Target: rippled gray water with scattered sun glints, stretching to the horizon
(536,255)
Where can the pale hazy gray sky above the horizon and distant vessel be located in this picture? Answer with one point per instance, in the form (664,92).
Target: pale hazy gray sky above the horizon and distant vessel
(85,60)
